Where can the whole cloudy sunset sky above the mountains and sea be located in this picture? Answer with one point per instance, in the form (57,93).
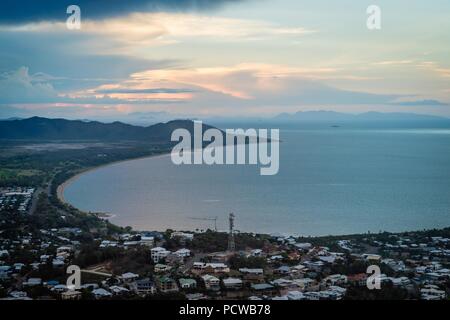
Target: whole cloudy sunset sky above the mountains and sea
(236,58)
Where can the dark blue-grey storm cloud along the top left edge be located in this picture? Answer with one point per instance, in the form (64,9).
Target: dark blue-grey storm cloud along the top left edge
(20,11)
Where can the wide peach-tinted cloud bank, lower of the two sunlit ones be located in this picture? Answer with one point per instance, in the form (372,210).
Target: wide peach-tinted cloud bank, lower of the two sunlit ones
(243,86)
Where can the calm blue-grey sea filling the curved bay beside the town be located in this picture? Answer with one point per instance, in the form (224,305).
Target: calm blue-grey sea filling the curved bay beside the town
(331,181)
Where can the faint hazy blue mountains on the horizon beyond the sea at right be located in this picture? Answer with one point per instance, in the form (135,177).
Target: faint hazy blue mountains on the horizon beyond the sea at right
(332,116)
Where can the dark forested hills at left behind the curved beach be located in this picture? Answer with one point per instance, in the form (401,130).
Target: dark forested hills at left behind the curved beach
(38,128)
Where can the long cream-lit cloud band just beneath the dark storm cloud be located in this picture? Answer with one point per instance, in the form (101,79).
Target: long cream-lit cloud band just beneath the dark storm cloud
(123,35)
